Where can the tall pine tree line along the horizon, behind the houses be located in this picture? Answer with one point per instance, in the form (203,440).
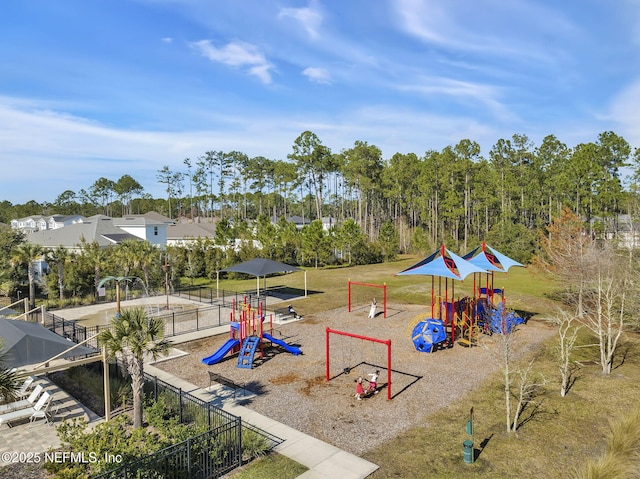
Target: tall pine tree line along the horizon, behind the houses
(455,196)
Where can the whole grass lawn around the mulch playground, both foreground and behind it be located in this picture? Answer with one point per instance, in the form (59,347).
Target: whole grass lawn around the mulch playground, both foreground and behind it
(558,434)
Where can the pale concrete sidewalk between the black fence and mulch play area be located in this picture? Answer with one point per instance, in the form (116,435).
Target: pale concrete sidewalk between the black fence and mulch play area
(323,460)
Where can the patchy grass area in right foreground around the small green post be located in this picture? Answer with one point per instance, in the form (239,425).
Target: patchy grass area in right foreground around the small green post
(555,442)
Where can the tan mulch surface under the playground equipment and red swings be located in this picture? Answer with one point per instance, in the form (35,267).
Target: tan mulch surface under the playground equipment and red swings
(293,389)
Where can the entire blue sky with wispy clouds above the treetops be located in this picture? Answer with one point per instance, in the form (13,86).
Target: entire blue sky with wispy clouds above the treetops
(97,88)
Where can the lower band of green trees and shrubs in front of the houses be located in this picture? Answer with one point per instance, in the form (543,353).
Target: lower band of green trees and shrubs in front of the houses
(74,275)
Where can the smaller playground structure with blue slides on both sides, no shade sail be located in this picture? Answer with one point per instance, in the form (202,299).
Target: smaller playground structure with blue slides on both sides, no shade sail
(246,337)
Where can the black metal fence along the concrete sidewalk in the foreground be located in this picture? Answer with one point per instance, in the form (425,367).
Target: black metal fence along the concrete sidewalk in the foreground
(211,454)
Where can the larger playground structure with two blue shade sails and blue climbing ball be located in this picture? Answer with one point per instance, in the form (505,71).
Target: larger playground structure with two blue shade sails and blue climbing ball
(464,319)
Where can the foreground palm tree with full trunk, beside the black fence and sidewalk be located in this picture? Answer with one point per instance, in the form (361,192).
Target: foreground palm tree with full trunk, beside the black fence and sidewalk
(134,334)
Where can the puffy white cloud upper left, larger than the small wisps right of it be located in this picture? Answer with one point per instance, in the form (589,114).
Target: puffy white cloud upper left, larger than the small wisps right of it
(237,54)
